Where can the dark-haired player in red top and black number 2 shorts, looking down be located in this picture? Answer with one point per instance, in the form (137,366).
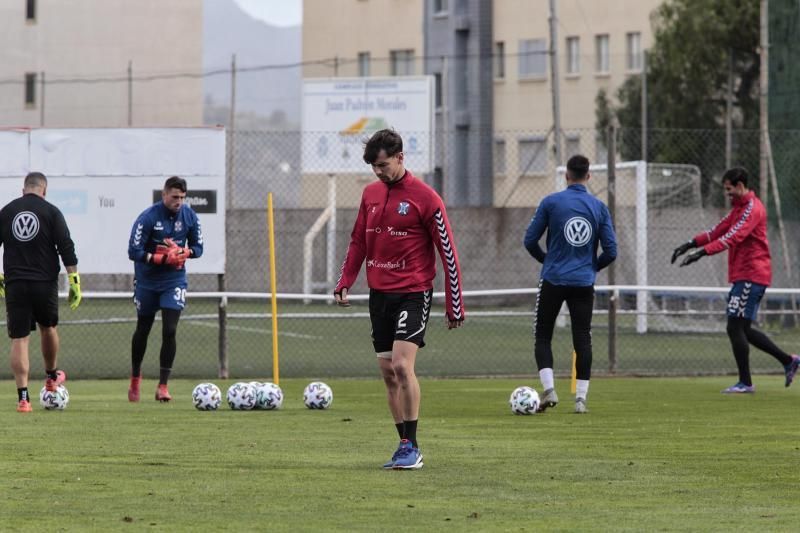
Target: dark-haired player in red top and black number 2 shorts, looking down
(401,222)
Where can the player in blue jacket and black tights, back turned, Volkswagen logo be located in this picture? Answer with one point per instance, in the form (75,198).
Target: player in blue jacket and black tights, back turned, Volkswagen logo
(576,222)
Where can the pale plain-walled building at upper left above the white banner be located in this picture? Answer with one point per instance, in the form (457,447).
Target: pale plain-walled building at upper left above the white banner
(108,63)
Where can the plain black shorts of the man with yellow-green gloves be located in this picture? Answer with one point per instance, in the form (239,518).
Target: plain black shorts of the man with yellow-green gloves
(29,302)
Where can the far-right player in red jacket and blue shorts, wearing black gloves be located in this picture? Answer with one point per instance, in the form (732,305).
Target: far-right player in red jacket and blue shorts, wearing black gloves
(743,233)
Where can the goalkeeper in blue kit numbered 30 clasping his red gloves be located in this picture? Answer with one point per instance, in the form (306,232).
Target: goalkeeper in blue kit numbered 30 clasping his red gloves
(163,237)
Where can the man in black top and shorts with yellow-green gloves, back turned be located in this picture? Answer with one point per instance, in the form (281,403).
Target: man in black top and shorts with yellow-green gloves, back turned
(34,234)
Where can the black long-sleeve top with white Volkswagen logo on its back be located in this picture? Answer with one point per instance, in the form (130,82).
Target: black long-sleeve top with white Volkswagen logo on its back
(34,234)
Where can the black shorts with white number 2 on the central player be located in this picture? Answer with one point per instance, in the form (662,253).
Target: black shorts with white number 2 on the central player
(398,317)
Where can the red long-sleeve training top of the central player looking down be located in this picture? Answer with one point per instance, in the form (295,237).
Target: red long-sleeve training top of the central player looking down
(397,229)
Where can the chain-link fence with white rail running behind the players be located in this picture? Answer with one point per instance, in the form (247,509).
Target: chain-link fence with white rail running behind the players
(684,328)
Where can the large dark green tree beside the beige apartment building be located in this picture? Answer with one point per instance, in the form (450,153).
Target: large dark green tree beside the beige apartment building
(687,83)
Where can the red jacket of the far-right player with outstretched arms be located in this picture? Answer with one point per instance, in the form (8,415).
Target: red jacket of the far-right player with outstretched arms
(743,232)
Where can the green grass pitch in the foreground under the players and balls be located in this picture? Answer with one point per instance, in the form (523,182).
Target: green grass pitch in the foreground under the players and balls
(653,454)
